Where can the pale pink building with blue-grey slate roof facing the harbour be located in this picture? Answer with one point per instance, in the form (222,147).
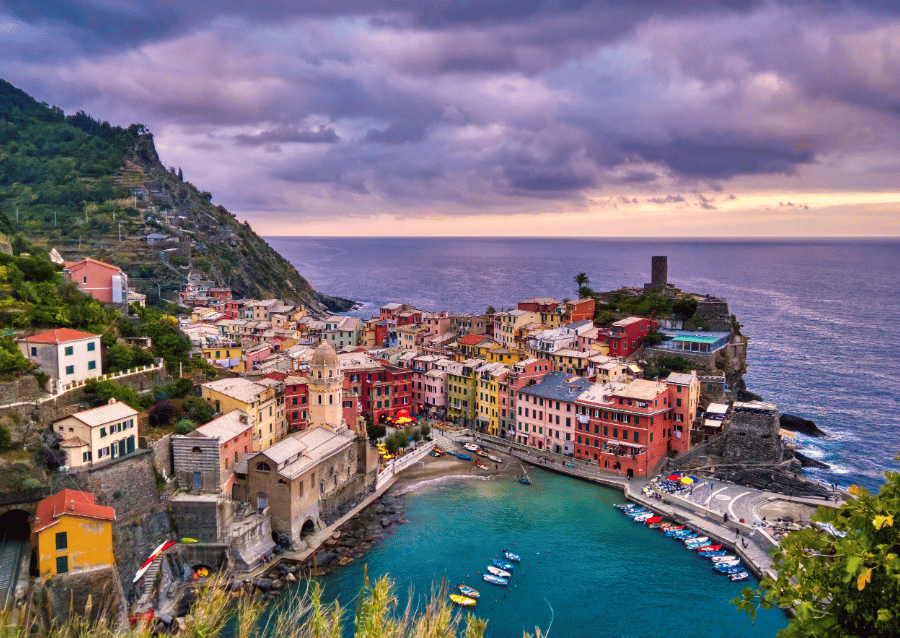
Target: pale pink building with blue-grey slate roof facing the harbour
(546,414)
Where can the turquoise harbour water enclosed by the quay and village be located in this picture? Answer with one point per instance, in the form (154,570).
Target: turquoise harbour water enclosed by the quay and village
(602,574)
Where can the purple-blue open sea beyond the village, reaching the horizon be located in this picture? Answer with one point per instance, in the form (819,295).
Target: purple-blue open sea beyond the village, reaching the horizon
(821,315)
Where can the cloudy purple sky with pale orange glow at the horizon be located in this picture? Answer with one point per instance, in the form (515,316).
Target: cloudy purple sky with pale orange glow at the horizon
(729,118)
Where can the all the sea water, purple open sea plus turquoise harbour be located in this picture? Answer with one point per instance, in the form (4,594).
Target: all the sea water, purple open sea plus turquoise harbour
(820,317)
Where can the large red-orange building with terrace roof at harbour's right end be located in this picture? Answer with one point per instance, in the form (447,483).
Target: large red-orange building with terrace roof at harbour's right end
(627,429)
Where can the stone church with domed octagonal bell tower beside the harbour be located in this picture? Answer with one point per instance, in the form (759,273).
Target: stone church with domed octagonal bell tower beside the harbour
(311,478)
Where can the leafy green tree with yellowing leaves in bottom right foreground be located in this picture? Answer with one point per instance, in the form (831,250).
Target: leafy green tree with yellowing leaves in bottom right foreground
(844,581)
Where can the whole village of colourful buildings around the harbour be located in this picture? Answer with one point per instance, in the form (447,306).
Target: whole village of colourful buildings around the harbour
(298,403)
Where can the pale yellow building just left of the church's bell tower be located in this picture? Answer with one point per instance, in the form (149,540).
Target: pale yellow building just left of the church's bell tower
(262,405)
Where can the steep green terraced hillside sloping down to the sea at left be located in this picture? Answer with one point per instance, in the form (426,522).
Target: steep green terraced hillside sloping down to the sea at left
(88,188)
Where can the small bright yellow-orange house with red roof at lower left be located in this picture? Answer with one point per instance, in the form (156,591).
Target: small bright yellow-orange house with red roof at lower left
(72,533)
